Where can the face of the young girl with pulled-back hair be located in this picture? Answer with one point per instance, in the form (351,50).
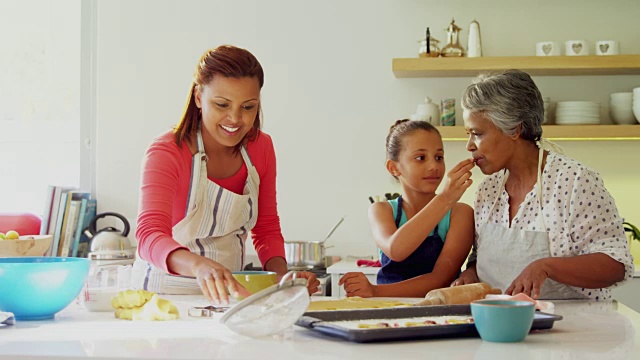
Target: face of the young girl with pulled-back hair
(420,165)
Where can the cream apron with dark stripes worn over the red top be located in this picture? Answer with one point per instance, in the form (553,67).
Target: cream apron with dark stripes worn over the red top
(216,225)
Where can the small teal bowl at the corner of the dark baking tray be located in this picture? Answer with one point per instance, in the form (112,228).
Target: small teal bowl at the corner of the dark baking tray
(502,320)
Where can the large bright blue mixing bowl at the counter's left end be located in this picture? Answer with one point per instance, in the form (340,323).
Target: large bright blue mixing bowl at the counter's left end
(36,288)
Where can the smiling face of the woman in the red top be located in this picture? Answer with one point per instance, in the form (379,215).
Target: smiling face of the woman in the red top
(229,107)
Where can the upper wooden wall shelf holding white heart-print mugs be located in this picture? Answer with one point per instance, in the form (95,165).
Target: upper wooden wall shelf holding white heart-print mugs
(534,65)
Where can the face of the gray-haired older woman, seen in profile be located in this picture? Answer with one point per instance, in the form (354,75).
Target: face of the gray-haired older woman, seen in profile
(488,145)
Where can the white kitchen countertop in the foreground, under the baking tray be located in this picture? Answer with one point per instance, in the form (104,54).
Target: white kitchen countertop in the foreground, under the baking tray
(590,330)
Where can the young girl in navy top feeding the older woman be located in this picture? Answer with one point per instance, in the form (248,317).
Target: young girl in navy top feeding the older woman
(424,237)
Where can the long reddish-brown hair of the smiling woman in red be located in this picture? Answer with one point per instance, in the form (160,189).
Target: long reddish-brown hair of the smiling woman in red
(226,61)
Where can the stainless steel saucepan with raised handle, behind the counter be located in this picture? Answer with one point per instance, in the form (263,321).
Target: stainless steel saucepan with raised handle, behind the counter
(308,254)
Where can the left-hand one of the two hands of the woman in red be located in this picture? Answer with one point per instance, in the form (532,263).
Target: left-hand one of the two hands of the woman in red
(214,280)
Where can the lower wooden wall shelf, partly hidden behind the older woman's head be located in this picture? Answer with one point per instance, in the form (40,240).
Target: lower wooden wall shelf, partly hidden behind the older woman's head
(562,132)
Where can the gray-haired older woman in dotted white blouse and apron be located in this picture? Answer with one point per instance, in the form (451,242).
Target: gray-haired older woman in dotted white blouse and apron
(545,224)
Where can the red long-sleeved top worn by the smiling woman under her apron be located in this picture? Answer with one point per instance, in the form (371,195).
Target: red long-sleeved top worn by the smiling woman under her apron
(166,173)
